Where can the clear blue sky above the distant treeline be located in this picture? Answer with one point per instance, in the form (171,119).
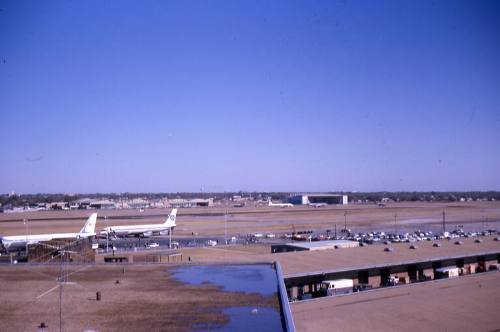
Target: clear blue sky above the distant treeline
(164,96)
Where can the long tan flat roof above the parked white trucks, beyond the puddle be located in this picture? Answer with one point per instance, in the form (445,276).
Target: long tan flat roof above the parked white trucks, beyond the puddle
(317,262)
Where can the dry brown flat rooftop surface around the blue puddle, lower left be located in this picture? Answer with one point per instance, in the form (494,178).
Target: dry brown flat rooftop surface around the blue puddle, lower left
(146,299)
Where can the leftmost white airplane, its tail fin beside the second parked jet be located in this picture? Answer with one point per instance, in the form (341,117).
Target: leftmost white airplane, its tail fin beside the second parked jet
(18,241)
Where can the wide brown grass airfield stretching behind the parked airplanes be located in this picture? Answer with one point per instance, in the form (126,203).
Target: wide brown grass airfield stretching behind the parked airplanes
(211,221)
